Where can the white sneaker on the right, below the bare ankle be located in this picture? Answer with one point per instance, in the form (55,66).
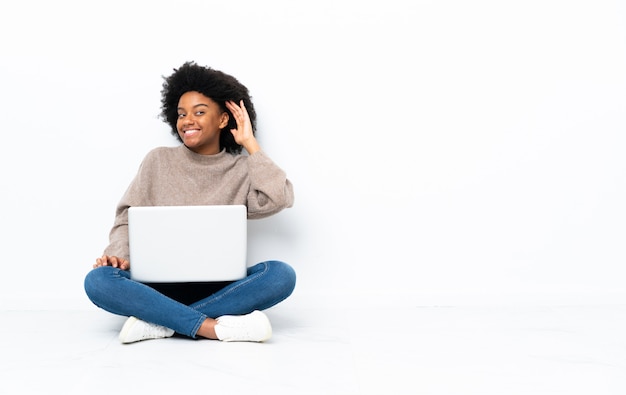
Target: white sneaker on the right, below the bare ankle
(253,327)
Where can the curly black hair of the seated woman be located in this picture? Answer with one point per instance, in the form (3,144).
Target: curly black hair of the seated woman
(212,83)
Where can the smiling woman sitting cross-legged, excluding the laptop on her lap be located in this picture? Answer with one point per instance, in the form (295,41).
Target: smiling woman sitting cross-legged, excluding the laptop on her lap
(212,115)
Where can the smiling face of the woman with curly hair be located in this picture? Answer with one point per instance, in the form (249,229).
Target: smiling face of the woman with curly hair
(200,120)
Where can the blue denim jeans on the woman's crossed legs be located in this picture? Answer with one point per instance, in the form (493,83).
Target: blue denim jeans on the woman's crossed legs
(266,284)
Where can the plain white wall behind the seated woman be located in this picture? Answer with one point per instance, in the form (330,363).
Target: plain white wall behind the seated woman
(441,151)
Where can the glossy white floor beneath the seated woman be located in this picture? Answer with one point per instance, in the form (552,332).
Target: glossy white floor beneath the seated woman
(417,350)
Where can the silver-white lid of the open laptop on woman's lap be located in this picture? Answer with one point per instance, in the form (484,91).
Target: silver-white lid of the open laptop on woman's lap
(187,243)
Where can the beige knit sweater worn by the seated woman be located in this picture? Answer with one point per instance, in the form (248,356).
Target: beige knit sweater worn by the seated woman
(177,176)
